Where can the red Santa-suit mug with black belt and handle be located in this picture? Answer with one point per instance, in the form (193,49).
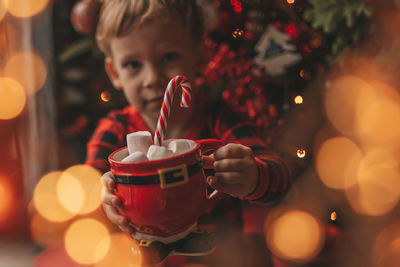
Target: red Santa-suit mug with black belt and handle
(164,198)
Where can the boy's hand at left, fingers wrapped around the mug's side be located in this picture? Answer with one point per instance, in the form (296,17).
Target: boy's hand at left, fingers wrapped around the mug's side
(111,202)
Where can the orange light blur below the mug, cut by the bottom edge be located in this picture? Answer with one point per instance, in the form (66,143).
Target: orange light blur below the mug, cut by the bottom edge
(120,252)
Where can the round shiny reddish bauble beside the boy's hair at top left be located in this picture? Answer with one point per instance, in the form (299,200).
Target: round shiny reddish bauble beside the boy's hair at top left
(84,16)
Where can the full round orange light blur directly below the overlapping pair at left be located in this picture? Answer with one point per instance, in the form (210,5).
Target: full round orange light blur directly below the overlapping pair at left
(87,241)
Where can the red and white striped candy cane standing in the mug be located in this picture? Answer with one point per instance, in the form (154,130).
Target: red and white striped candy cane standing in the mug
(167,102)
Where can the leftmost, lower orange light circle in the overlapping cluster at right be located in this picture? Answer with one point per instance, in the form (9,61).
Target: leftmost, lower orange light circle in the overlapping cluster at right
(337,162)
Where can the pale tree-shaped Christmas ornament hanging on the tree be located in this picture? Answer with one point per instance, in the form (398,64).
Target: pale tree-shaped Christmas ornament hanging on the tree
(275,53)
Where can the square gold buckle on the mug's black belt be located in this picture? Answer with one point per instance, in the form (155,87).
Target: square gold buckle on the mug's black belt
(174,176)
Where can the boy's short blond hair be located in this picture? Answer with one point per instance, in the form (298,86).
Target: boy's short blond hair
(119,17)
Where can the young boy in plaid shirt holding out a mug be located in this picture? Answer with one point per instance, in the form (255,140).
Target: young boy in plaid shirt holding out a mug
(146,43)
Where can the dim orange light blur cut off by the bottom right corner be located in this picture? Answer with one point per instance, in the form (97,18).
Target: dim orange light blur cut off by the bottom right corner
(386,248)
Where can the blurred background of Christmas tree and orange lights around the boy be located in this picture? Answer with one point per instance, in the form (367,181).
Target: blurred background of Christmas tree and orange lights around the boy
(320,78)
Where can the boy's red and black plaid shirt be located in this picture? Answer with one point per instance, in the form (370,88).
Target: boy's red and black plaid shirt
(210,122)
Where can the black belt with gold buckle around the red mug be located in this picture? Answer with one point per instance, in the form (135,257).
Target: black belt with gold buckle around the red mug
(167,177)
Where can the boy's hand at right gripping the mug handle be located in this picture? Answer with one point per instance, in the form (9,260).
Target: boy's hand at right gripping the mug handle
(236,171)
